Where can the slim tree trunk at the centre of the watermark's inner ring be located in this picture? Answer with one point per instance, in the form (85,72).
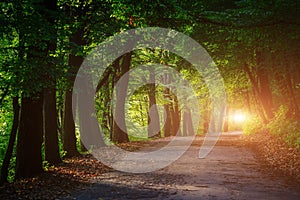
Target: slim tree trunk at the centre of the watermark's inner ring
(153,121)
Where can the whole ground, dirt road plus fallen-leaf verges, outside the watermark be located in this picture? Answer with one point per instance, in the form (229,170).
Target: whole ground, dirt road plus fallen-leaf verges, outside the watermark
(239,167)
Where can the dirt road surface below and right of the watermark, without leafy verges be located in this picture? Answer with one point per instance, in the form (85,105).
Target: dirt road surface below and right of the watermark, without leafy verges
(231,171)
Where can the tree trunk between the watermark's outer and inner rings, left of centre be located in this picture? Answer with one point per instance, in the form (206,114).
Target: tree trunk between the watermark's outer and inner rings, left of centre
(120,134)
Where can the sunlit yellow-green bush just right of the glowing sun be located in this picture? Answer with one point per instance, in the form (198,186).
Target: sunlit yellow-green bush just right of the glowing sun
(253,125)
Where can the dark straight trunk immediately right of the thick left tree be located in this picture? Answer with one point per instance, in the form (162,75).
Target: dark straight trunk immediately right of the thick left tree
(50,127)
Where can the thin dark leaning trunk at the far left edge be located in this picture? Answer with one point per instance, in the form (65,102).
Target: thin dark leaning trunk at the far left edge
(11,142)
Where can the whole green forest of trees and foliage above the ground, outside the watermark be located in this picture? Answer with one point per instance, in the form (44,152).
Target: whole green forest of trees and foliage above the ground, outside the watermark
(254,45)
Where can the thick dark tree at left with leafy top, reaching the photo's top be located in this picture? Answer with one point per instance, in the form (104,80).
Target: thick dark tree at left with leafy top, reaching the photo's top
(30,133)
